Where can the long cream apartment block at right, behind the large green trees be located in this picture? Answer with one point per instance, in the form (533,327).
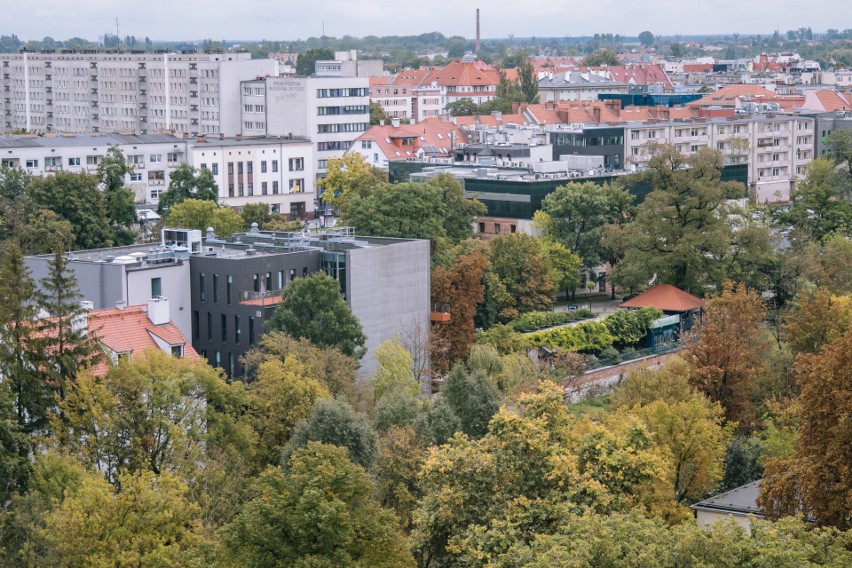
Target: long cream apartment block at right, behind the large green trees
(778,146)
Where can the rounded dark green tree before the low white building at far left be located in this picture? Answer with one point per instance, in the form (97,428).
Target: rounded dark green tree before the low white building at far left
(77,199)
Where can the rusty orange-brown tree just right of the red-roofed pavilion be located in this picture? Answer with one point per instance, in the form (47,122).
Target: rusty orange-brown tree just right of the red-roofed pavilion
(726,351)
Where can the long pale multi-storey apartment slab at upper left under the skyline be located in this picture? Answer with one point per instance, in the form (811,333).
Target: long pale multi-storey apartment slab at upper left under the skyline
(185,93)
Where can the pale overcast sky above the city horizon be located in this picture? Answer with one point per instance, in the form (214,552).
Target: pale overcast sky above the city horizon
(300,19)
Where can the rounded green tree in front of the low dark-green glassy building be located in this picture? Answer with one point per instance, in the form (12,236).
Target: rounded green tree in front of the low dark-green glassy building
(577,212)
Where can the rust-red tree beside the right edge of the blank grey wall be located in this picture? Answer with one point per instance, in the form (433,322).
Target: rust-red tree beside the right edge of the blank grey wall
(460,287)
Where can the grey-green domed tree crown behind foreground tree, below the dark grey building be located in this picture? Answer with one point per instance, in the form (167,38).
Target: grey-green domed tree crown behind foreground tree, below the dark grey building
(335,422)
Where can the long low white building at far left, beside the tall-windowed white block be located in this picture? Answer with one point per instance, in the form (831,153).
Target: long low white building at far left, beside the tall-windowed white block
(153,157)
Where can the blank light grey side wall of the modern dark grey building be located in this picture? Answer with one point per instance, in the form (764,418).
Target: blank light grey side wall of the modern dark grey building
(388,288)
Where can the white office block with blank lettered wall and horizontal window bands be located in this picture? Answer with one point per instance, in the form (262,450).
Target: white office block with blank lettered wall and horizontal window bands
(331,111)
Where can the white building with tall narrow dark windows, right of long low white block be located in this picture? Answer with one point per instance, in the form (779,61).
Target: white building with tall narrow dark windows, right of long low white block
(276,171)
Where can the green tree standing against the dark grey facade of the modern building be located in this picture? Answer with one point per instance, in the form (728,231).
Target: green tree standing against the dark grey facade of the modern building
(314,308)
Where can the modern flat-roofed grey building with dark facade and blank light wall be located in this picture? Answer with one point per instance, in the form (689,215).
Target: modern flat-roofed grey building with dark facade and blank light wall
(221,291)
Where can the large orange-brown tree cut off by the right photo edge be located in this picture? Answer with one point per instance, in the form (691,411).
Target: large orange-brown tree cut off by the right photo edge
(817,478)
